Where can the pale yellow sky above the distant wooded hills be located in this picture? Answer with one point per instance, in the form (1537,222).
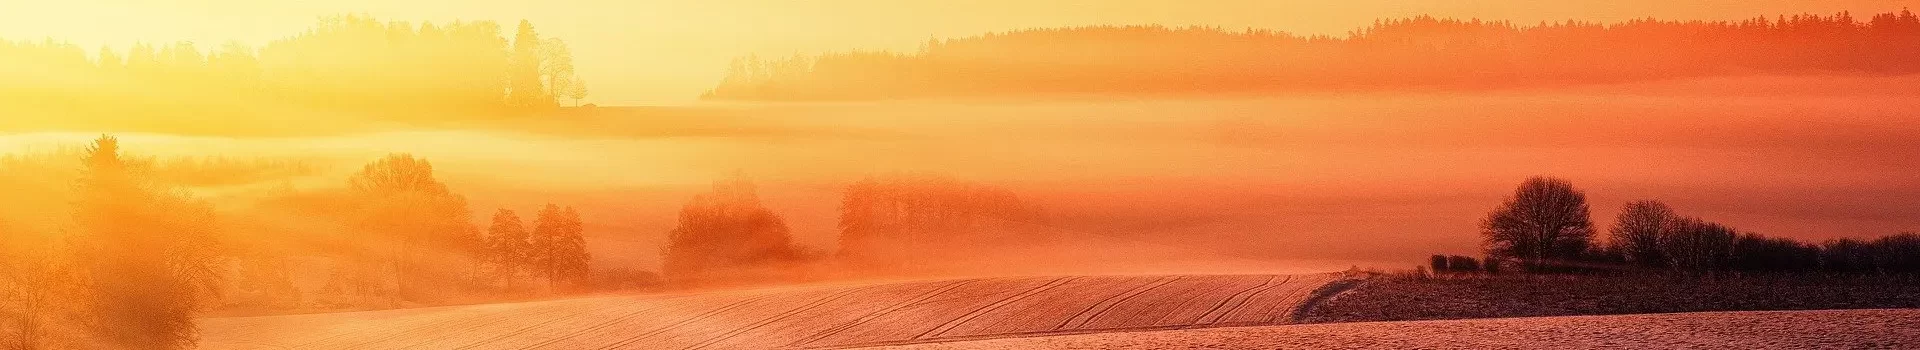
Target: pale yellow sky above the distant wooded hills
(669,51)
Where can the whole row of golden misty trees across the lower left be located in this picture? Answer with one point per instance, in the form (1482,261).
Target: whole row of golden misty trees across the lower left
(139,257)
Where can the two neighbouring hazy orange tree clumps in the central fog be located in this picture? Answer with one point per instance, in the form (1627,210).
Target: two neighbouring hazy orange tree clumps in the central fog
(894,220)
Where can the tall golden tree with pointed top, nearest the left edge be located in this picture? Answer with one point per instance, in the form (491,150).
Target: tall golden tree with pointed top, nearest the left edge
(149,255)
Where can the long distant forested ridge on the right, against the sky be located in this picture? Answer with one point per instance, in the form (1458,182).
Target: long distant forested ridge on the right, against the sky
(1389,55)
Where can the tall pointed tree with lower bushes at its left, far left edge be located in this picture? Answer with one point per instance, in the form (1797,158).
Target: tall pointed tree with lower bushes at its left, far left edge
(130,272)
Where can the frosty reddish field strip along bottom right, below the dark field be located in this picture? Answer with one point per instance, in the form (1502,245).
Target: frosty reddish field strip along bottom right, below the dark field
(1710,330)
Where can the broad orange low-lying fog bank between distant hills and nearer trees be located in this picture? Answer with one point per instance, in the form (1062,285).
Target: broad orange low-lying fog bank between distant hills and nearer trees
(1293,184)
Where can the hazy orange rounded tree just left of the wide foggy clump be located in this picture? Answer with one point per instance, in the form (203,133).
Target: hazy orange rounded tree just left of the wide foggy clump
(727,230)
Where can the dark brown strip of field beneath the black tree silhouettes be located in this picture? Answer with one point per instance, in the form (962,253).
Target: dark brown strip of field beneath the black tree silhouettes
(1403,299)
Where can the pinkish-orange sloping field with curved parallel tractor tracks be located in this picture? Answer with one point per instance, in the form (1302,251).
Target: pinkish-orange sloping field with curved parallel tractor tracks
(825,316)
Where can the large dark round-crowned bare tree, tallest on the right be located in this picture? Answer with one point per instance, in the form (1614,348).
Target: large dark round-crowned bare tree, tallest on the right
(1547,220)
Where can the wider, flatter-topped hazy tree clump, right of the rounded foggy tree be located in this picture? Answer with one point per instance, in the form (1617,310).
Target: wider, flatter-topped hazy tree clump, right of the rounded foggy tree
(900,218)
